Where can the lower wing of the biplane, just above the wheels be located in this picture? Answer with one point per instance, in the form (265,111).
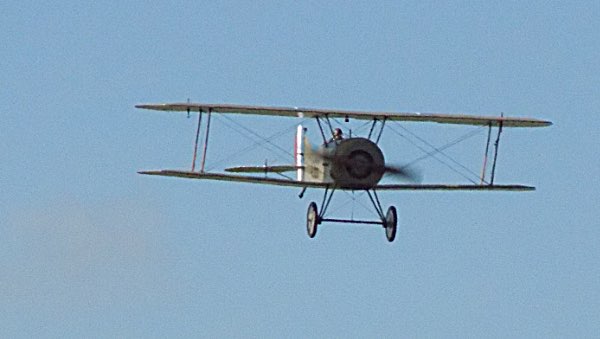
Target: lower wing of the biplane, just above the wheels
(306,184)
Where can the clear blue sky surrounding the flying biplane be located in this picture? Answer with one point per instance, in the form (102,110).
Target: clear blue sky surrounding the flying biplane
(89,248)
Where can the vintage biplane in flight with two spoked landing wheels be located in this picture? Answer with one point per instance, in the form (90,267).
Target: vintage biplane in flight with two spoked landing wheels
(355,163)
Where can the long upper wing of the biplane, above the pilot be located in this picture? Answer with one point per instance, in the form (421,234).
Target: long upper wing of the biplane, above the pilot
(461,119)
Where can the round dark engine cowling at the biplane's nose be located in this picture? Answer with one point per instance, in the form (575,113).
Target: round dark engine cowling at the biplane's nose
(357,163)
